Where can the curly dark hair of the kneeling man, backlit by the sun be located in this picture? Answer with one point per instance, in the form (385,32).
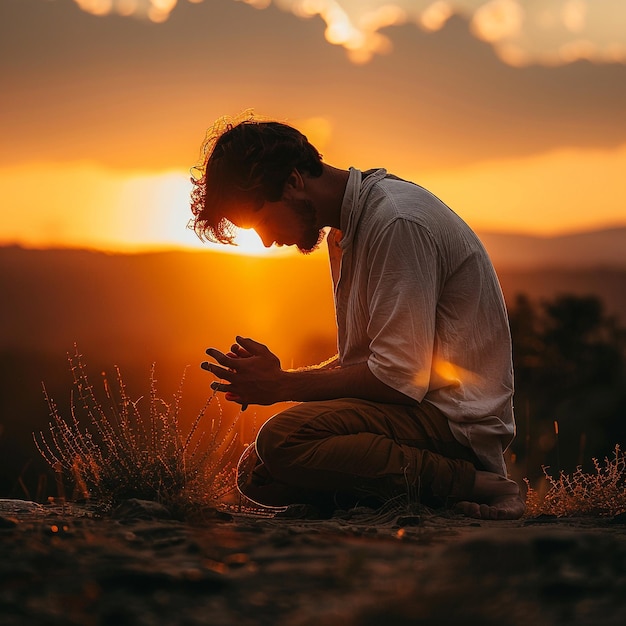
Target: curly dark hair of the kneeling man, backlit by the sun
(245,161)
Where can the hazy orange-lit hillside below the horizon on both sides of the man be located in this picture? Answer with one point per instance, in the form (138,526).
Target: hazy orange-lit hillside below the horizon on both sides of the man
(176,302)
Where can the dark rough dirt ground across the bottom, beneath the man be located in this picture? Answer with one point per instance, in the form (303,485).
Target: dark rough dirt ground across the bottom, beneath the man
(137,566)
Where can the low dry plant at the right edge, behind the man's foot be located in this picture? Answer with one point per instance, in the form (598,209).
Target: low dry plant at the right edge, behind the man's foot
(601,493)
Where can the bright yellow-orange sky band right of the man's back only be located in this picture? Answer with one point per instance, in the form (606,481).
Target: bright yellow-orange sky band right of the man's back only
(547,194)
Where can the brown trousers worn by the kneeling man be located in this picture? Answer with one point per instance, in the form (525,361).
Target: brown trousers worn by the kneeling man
(323,452)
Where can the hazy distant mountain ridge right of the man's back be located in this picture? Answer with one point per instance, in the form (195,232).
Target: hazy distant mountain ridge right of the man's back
(590,249)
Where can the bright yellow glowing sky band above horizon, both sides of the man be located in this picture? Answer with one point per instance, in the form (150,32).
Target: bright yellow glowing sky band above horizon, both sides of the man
(82,205)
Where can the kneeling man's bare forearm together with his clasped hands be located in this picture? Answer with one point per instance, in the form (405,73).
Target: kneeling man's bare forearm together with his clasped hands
(259,379)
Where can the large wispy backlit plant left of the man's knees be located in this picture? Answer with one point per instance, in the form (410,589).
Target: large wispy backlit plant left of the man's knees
(121,453)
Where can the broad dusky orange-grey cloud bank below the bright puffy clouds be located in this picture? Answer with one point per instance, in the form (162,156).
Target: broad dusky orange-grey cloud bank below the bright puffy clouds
(125,93)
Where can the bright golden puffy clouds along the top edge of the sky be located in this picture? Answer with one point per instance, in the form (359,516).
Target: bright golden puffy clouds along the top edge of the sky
(551,32)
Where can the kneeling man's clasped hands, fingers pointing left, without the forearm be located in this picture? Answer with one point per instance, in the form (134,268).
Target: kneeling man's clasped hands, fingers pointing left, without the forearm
(249,374)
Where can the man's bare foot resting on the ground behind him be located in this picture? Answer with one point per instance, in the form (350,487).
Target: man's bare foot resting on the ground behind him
(493,497)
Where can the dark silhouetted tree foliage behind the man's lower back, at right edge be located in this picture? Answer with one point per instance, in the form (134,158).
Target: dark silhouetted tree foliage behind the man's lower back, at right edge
(569,358)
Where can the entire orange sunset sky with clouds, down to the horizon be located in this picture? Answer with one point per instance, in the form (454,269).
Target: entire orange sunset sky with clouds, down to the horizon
(511,111)
